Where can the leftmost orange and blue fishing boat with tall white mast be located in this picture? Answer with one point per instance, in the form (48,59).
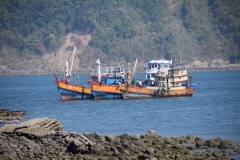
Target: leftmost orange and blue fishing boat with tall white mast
(67,88)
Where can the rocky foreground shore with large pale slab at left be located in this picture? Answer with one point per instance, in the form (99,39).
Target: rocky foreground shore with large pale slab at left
(44,138)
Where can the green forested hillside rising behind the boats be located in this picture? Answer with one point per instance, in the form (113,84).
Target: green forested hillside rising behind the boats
(124,30)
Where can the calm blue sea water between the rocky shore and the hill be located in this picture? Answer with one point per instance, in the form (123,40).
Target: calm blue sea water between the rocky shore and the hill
(213,111)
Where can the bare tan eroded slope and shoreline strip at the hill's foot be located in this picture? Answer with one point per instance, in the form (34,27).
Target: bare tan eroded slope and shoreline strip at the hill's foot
(54,63)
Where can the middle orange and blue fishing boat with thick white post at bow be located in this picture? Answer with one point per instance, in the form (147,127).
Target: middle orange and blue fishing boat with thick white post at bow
(105,83)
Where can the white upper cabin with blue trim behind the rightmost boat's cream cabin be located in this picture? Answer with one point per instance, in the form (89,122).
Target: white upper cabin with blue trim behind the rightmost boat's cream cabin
(155,66)
